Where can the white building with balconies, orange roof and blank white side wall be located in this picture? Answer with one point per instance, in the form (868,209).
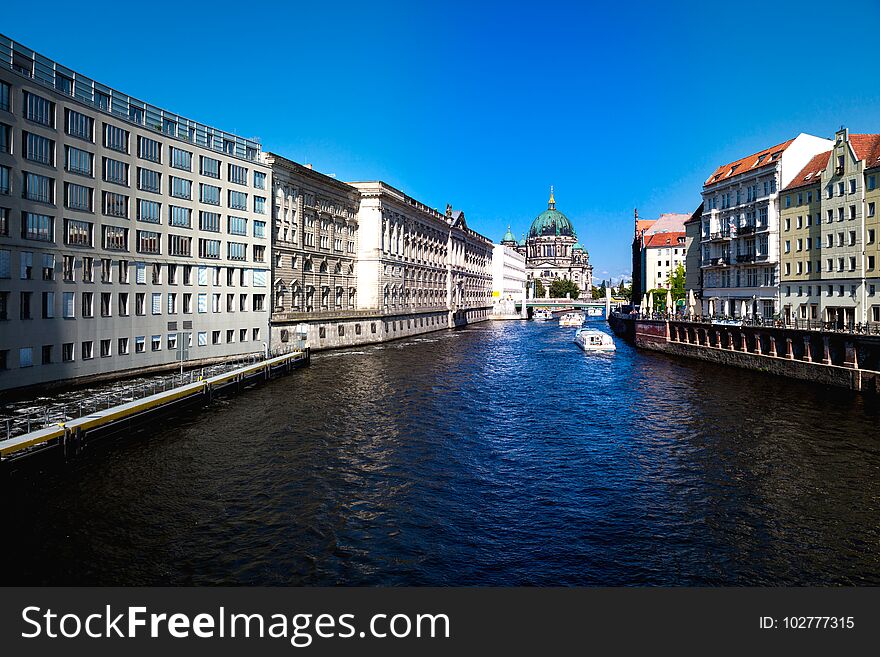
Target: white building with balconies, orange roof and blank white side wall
(740,228)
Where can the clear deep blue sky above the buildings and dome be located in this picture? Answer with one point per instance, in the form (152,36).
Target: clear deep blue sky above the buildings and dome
(486,104)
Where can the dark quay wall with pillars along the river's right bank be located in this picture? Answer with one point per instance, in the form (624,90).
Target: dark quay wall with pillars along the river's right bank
(827,358)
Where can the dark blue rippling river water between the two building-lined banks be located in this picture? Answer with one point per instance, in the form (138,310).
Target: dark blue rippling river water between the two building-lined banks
(495,455)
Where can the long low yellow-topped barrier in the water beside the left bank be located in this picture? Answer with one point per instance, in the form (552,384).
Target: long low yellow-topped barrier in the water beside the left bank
(71,435)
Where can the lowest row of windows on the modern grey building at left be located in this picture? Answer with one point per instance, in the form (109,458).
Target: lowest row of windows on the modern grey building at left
(123,346)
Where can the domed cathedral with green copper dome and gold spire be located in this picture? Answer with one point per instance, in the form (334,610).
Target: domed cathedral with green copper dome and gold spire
(552,250)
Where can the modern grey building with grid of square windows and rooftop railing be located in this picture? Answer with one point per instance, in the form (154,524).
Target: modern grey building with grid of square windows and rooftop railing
(130,237)
